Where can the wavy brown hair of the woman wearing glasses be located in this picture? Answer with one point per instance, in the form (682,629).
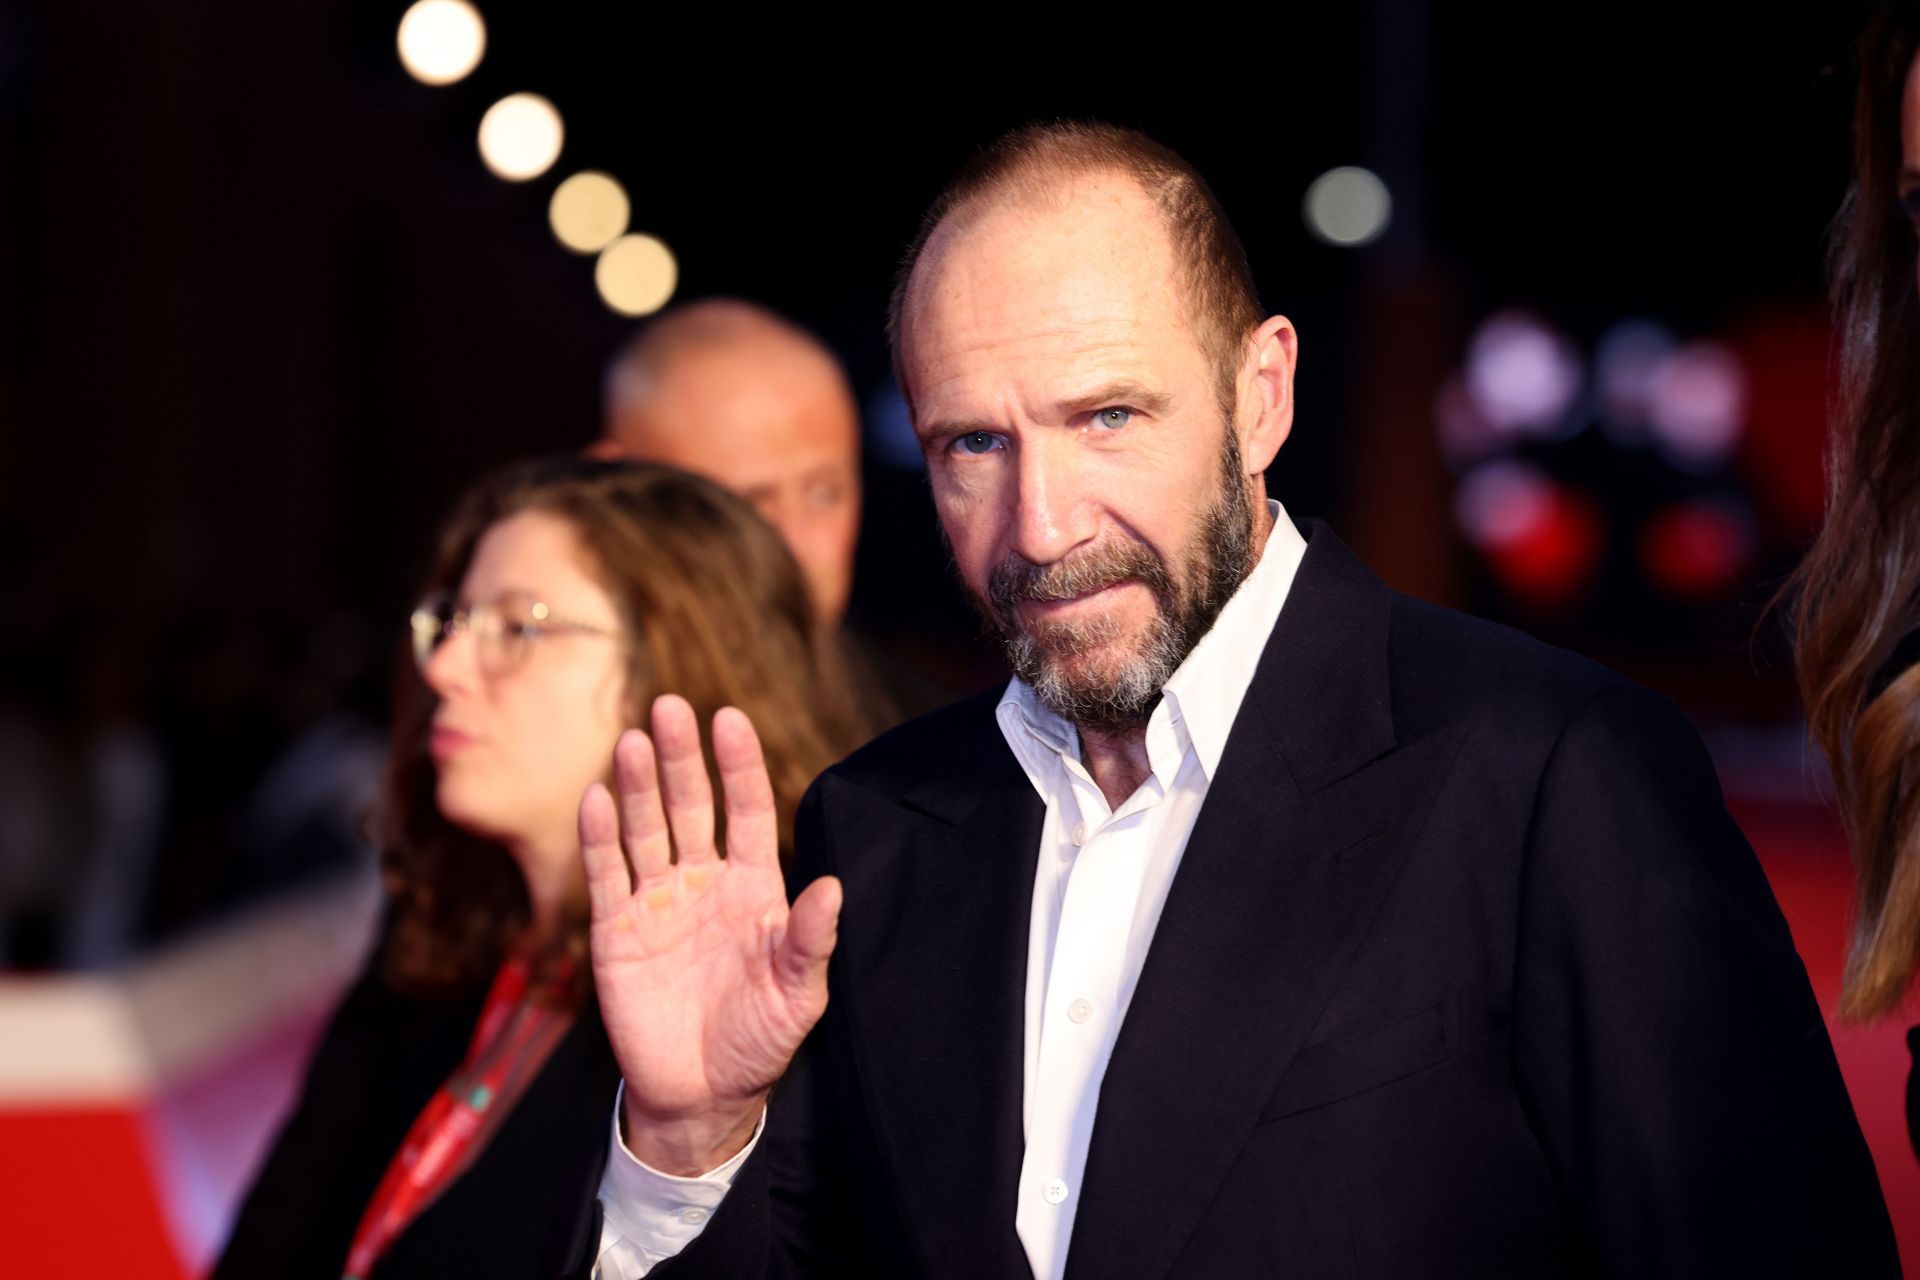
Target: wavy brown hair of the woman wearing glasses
(715,609)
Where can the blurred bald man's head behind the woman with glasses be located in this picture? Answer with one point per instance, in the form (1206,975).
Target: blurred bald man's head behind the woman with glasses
(736,394)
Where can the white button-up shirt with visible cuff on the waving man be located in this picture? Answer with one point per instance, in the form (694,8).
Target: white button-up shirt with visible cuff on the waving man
(1099,888)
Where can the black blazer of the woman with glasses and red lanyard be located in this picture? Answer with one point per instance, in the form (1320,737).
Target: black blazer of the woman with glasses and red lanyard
(381,1062)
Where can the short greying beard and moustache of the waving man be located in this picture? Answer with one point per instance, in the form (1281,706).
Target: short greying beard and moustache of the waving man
(1218,563)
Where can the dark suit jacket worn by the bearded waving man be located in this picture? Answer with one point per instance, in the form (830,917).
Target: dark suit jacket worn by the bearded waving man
(1466,974)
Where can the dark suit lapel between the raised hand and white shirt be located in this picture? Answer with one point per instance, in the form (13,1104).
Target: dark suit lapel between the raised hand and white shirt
(936,1001)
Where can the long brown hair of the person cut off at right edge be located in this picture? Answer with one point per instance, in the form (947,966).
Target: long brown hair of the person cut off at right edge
(1858,592)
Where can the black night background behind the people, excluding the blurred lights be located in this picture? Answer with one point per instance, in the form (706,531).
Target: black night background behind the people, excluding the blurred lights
(264,314)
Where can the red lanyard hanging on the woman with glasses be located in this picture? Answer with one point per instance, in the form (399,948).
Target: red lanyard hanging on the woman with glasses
(517,1031)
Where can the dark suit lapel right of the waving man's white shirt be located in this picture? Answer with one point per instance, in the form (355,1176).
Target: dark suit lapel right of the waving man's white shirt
(1297,841)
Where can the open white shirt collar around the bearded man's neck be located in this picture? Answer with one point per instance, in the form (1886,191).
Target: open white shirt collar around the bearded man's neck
(1201,699)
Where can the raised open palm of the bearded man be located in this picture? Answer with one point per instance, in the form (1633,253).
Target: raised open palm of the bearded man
(708,984)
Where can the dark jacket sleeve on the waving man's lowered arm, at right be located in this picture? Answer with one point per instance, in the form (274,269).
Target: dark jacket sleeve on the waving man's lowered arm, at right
(1669,1047)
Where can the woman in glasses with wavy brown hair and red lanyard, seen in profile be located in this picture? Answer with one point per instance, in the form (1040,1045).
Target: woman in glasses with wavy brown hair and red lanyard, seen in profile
(468,1074)
